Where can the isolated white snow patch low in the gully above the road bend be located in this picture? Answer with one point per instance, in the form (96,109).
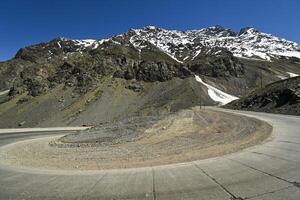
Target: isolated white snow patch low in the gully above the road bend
(216,94)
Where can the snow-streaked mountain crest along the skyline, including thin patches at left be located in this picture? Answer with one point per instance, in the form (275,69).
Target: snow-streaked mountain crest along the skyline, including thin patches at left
(186,45)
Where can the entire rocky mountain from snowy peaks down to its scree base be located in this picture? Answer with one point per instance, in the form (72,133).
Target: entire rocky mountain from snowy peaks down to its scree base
(154,66)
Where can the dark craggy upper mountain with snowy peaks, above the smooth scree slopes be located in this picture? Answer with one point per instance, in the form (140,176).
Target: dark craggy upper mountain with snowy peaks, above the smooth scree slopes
(154,54)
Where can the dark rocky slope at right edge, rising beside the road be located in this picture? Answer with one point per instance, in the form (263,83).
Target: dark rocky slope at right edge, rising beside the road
(278,97)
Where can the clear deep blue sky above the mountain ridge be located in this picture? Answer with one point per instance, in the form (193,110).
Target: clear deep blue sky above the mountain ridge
(25,22)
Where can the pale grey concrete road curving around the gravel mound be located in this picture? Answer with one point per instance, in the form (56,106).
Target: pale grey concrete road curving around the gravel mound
(268,171)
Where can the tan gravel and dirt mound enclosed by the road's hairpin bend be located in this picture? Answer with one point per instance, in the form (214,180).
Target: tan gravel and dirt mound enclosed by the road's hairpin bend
(184,136)
